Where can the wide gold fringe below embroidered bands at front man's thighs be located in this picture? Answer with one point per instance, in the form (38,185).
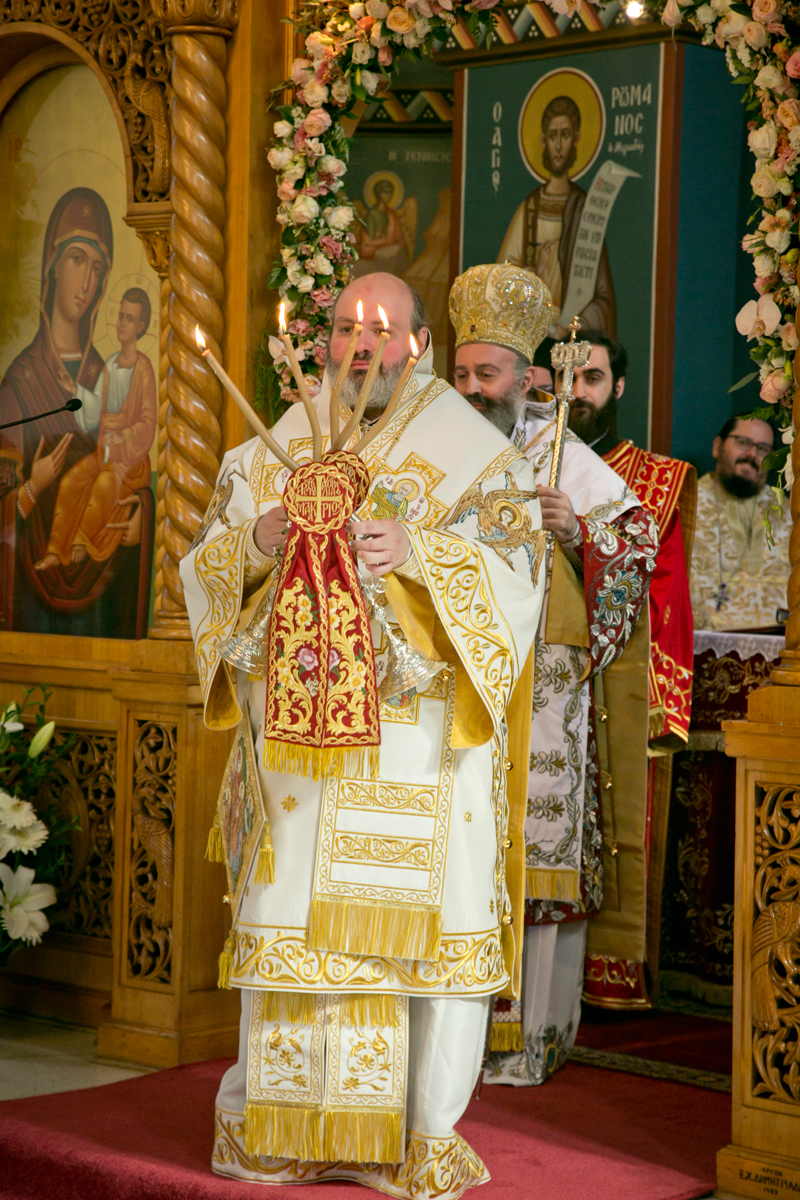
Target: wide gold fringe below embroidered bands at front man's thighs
(387,929)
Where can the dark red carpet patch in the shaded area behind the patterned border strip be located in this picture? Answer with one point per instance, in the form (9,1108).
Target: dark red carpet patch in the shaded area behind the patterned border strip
(701,1043)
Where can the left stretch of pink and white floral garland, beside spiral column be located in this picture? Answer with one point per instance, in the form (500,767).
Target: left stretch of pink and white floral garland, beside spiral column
(350,53)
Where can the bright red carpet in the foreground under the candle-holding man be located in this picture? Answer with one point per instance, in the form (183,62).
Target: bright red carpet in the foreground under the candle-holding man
(587,1133)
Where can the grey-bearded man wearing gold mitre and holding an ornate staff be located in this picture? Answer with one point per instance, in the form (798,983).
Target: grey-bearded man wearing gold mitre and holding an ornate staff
(604,559)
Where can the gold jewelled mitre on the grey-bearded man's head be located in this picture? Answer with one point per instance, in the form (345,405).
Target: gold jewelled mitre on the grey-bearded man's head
(501,304)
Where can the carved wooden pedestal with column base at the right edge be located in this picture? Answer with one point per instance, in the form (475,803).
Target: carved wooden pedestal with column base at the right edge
(763,1159)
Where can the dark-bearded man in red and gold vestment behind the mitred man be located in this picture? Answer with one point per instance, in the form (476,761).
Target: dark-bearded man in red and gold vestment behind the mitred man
(667,489)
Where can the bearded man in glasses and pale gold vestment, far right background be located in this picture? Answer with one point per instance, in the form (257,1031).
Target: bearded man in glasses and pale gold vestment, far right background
(739,577)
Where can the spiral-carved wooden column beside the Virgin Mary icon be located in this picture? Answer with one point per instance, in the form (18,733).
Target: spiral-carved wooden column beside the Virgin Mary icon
(194,437)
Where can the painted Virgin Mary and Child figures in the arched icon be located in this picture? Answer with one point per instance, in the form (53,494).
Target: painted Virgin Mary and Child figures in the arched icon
(79,511)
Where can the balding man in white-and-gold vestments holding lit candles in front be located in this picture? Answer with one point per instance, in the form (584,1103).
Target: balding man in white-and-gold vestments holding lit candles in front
(398,903)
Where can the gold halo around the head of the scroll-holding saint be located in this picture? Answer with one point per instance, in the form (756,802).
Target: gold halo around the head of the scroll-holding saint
(585,93)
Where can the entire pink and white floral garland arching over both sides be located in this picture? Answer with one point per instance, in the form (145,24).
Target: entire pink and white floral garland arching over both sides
(351,50)
